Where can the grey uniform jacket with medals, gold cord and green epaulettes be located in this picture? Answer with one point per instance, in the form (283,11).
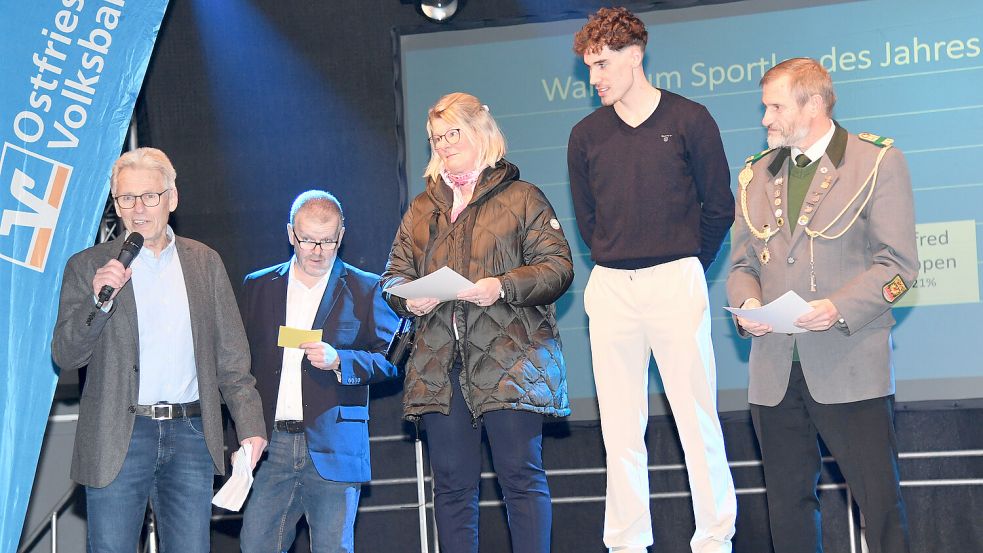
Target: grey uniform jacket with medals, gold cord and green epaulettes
(848,362)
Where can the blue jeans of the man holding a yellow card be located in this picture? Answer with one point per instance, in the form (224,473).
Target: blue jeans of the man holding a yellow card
(288,486)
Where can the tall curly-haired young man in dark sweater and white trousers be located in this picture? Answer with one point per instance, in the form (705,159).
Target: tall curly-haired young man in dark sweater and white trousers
(651,192)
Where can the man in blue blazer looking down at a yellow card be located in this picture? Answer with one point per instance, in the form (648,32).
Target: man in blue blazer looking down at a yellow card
(315,397)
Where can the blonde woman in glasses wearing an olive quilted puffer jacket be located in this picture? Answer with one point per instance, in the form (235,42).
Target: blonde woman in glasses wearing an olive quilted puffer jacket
(492,357)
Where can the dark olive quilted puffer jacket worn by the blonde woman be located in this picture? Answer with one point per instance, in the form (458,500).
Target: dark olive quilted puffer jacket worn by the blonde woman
(511,349)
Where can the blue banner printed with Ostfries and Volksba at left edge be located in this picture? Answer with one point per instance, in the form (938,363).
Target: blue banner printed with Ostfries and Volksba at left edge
(71,70)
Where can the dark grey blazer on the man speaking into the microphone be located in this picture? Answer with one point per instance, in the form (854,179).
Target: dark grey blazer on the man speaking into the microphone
(109,346)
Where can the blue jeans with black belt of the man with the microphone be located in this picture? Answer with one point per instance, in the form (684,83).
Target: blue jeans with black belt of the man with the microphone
(168,462)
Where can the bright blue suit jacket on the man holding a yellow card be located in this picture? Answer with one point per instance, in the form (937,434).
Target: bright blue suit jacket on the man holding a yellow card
(356,322)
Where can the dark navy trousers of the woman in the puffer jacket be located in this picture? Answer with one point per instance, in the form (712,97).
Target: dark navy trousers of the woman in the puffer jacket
(454,445)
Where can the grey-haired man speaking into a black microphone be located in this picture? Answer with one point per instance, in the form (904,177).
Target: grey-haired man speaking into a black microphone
(164,345)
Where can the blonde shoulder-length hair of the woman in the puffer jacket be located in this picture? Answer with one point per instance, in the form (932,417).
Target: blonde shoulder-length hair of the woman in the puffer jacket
(464,111)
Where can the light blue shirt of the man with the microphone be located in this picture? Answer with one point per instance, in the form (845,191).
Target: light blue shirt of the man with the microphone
(167,354)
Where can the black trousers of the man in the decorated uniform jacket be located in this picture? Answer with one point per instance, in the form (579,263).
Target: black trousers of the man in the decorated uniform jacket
(861,437)
